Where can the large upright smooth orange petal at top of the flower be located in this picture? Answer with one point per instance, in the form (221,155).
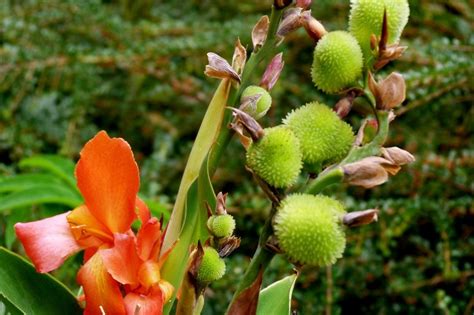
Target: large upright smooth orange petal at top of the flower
(108,177)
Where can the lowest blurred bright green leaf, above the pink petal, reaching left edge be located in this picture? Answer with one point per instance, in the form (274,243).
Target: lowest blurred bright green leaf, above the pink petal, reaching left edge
(53,193)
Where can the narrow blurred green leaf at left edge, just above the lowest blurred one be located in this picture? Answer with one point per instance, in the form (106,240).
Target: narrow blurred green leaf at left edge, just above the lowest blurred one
(25,181)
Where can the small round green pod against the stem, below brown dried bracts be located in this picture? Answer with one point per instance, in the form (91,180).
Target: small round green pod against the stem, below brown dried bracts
(255,101)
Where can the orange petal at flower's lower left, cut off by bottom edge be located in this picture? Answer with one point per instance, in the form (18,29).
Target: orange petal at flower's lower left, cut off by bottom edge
(101,290)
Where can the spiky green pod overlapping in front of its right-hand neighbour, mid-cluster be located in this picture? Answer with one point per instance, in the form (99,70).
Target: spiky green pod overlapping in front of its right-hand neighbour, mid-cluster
(276,157)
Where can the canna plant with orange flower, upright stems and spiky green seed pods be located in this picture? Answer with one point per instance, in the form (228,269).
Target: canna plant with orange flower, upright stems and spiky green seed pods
(144,269)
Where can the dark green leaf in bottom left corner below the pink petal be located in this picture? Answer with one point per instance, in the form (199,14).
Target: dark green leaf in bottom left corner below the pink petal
(32,292)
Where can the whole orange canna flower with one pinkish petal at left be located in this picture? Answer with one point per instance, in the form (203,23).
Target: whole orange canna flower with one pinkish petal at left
(108,178)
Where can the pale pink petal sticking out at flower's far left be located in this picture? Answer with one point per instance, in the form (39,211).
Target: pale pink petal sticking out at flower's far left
(47,242)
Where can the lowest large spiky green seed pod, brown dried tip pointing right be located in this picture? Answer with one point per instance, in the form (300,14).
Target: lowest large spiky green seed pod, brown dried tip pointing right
(309,230)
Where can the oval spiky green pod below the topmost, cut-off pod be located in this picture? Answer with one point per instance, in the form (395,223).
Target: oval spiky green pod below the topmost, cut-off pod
(337,62)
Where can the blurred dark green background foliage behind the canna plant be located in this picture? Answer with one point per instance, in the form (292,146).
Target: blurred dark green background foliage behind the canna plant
(135,68)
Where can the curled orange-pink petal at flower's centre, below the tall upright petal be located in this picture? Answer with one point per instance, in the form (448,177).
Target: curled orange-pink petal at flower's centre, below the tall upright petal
(122,261)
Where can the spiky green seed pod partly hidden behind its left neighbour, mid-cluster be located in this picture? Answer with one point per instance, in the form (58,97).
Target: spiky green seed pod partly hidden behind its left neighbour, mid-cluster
(324,137)
